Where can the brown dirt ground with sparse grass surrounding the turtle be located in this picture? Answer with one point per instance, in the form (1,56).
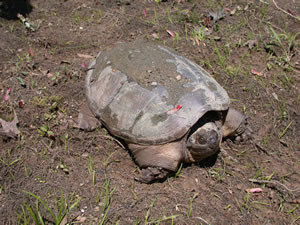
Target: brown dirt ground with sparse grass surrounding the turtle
(253,51)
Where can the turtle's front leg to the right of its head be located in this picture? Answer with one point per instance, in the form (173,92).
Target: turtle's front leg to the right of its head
(236,126)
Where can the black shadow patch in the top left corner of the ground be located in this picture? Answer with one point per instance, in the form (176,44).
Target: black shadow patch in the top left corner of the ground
(9,9)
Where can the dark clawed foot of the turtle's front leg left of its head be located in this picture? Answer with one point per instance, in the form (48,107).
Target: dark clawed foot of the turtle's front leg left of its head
(151,174)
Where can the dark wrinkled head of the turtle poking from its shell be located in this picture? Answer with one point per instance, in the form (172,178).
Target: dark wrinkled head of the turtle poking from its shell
(204,142)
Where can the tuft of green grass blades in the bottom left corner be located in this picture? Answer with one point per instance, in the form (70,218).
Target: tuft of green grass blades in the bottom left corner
(34,215)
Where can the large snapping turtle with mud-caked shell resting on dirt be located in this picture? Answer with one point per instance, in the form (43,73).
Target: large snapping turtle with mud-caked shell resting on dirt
(165,107)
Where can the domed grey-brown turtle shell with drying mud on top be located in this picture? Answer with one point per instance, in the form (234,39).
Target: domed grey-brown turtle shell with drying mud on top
(148,94)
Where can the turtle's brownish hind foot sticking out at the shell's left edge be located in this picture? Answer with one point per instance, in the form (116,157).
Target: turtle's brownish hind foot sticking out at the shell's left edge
(86,119)
